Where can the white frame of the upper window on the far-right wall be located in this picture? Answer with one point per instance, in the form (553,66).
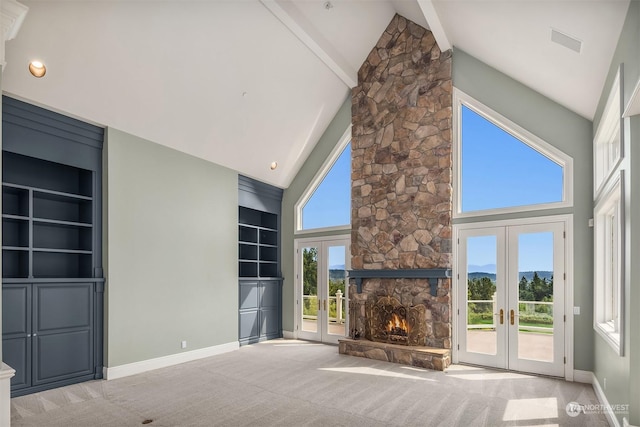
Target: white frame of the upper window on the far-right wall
(611,117)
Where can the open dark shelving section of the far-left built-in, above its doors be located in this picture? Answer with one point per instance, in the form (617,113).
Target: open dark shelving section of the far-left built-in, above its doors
(47,215)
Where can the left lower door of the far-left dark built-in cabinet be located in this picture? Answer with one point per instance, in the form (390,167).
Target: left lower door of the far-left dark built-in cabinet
(16,332)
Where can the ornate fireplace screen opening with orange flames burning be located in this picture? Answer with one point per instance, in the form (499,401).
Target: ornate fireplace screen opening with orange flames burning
(389,321)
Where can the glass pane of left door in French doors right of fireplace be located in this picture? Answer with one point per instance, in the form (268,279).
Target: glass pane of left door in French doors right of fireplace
(482,312)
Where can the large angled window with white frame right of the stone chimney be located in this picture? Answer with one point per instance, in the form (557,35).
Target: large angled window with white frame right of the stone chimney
(503,168)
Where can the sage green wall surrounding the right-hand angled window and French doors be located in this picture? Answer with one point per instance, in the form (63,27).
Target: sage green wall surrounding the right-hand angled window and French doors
(566,131)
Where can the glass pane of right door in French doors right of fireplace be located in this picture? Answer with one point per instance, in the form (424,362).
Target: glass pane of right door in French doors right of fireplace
(535,296)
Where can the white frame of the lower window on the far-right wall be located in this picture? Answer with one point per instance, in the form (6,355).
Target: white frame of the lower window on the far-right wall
(611,331)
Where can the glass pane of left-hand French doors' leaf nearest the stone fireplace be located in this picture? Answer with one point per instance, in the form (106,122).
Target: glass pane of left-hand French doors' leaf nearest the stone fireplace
(337,295)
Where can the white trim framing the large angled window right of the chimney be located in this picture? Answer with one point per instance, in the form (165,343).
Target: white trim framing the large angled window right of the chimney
(552,153)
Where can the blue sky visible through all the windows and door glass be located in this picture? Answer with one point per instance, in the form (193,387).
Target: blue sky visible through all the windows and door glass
(498,171)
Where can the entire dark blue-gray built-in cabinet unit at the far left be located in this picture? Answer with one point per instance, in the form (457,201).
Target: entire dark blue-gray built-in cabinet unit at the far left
(52,284)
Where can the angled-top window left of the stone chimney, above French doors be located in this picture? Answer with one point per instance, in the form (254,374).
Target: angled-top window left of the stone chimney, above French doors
(327,203)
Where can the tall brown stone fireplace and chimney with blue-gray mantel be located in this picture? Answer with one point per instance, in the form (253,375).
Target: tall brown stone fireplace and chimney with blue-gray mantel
(402,199)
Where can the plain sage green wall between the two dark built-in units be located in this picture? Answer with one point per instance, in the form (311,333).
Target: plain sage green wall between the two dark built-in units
(171,220)
